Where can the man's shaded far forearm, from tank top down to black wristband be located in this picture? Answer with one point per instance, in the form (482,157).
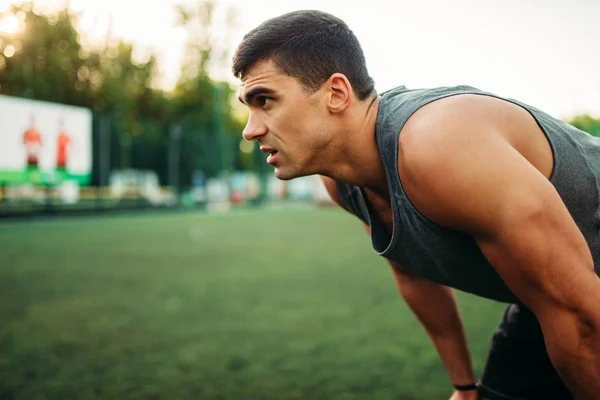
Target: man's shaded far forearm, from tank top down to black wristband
(436,308)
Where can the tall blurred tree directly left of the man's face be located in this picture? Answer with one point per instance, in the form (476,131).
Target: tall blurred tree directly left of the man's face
(201,103)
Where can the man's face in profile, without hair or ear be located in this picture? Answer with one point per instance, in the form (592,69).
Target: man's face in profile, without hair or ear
(288,122)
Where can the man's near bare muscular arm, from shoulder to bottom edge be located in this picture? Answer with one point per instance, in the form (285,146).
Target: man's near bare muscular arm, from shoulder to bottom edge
(468,177)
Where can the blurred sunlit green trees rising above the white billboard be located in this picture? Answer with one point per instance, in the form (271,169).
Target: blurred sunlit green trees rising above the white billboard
(46,61)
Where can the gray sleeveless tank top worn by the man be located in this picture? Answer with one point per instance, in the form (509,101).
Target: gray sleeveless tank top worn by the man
(451,258)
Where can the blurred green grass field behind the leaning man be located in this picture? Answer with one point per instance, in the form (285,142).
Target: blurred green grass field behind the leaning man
(280,304)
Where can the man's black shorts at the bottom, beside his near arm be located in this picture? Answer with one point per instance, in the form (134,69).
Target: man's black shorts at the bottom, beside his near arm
(518,366)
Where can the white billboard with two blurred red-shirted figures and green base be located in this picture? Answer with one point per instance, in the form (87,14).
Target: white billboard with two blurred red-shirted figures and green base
(43,142)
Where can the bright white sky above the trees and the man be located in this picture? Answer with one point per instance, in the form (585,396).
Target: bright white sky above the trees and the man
(542,52)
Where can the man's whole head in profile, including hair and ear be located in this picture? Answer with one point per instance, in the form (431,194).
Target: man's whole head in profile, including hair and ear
(299,71)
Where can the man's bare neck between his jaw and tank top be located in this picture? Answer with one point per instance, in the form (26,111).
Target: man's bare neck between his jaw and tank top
(354,158)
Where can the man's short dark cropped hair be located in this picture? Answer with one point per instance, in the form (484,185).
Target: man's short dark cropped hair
(308,45)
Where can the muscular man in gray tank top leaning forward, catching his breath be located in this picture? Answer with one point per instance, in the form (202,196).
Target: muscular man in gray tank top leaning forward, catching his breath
(458,188)
